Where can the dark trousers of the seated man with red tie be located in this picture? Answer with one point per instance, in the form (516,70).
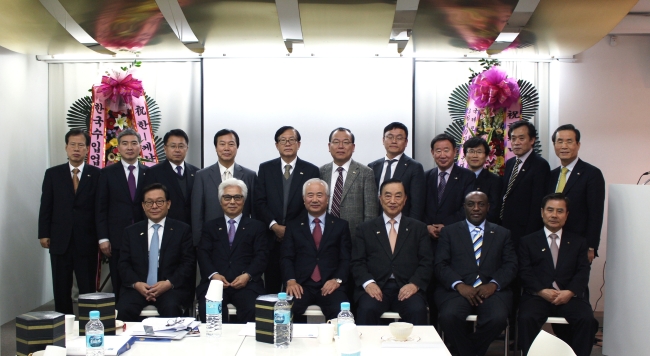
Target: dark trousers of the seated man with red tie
(330,304)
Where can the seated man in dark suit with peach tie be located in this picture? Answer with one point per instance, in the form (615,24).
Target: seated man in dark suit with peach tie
(391,262)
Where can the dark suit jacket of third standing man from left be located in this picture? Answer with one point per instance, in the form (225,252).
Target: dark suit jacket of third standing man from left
(164,174)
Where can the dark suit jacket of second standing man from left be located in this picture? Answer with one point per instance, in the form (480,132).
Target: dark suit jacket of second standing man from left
(115,210)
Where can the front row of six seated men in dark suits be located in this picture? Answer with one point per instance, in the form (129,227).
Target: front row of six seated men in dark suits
(390,260)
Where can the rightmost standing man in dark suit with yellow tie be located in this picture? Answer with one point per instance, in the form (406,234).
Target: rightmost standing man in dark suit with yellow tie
(581,182)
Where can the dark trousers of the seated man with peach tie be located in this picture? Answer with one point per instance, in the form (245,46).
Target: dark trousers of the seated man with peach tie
(412,310)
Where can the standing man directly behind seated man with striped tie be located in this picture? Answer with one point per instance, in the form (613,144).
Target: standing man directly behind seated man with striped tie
(476,151)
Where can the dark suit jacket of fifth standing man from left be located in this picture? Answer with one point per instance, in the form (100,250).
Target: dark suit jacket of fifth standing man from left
(269,196)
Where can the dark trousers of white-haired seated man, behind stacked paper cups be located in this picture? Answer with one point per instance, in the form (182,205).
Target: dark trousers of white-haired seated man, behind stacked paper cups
(242,299)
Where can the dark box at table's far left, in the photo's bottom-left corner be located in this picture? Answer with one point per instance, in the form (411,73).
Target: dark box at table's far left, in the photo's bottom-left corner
(36,330)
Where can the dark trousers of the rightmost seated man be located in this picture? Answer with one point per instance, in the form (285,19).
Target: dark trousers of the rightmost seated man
(534,310)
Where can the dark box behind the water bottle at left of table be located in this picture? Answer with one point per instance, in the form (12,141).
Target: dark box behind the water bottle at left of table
(105,303)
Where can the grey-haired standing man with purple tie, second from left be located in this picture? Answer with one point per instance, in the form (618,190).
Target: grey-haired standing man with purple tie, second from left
(119,201)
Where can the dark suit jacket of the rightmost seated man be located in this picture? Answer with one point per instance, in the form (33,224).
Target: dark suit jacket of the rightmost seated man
(536,263)
